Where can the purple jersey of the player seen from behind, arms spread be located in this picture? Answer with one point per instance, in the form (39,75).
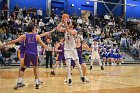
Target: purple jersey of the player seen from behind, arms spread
(31,44)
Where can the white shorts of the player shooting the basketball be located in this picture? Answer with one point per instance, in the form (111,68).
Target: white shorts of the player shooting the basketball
(71,54)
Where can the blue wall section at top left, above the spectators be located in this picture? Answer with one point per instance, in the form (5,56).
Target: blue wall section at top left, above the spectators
(29,3)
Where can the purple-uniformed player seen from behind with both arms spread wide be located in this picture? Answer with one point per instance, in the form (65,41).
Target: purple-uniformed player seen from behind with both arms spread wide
(31,52)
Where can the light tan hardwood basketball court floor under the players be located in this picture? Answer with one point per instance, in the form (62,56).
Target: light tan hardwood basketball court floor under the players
(114,79)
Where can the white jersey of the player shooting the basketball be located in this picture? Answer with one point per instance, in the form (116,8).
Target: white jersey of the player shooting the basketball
(69,43)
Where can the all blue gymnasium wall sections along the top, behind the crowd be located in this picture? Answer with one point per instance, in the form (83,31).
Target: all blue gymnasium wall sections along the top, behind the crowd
(79,5)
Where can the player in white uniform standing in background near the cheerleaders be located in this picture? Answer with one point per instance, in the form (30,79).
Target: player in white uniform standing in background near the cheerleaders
(95,54)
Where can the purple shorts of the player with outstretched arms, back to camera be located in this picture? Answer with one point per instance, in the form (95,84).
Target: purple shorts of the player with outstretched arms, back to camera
(30,59)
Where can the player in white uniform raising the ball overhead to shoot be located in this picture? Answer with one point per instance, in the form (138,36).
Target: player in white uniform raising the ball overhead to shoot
(70,51)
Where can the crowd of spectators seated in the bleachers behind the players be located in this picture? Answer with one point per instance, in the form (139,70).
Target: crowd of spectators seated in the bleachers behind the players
(108,30)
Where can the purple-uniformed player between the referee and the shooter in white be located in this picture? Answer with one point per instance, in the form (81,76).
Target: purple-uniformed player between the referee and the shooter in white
(60,57)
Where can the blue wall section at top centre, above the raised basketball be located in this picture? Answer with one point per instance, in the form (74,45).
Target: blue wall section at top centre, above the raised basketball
(78,6)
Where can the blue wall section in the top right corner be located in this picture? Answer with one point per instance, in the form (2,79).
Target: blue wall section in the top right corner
(133,11)
